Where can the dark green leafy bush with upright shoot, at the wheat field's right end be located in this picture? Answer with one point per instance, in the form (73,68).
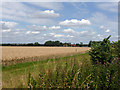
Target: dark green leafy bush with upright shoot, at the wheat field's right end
(101,52)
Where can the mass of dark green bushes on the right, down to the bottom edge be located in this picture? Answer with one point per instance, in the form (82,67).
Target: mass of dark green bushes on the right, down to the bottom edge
(105,60)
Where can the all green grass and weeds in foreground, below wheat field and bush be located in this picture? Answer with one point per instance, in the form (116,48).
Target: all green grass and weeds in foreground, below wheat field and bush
(74,71)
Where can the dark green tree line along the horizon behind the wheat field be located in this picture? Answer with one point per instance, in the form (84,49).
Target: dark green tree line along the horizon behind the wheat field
(51,43)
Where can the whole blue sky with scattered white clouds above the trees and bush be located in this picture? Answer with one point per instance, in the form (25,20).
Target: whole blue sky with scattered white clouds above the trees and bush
(73,22)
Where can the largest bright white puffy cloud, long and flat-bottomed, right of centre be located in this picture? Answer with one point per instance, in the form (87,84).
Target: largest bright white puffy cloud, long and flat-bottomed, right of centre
(75,22)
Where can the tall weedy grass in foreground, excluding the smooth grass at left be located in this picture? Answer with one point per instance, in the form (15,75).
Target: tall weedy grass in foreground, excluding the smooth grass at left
(76,72)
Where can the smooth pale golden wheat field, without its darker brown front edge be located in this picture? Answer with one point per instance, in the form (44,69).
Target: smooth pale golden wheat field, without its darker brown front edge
(13,52)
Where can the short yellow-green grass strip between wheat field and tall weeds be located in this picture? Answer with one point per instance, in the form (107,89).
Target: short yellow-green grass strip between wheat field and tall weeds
(16,76)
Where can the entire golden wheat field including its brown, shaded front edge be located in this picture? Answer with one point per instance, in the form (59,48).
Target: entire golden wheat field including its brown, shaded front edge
(14,54)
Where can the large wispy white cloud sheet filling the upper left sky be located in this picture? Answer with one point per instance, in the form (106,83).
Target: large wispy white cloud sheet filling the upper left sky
(25,13)
